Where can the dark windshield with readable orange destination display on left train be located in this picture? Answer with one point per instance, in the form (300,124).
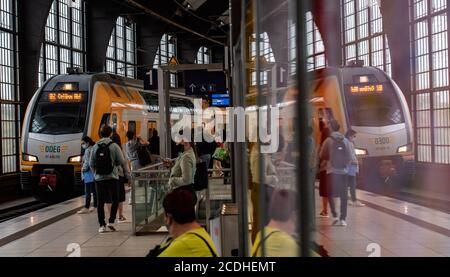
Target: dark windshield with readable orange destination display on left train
(58,113)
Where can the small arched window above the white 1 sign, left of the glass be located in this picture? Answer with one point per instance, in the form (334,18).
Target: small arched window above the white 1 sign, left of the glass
(166,50)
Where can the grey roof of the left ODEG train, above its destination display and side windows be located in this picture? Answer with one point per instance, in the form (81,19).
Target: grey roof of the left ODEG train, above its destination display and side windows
(85,80)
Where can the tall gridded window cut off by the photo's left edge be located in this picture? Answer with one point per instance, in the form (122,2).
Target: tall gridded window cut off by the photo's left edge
(9,92)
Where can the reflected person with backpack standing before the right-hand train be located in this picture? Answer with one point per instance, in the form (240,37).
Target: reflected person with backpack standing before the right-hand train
(336,151)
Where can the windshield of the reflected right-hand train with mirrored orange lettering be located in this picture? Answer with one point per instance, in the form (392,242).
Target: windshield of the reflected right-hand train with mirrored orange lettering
(373,105)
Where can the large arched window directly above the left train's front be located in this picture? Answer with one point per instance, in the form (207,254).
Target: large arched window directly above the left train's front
(65,39)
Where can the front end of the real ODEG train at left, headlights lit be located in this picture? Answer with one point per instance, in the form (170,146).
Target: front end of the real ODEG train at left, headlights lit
(54,124)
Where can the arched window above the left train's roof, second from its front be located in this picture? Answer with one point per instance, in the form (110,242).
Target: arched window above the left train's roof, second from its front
(121,52)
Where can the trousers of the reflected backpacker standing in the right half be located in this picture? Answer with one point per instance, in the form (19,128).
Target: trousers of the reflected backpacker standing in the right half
(337,187)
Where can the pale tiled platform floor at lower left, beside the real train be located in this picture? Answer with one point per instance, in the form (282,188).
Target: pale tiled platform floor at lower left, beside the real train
(54,240)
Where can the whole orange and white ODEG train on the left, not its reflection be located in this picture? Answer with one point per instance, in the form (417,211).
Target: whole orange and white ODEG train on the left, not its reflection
(66,108)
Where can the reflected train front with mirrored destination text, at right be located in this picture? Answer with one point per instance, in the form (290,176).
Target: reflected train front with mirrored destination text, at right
(378,112)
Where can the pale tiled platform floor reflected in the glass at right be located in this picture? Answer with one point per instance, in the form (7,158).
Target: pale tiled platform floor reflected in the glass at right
(392,234)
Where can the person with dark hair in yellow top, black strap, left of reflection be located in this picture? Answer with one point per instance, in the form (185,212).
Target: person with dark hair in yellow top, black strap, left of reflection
(188,238)
